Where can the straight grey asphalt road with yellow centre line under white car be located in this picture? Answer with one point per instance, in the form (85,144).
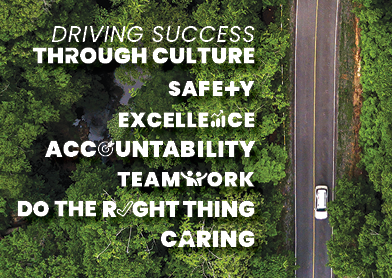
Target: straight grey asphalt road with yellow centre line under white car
(315,125)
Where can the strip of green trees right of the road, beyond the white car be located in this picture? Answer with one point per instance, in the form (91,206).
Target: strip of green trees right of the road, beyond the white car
(361,214)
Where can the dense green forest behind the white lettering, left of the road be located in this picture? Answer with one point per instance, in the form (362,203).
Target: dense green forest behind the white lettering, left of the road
(39,101)
